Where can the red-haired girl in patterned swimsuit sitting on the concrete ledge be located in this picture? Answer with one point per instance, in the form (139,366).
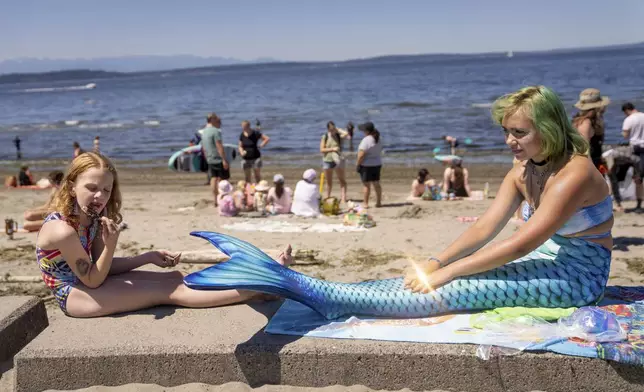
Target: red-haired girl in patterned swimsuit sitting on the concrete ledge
(76,245)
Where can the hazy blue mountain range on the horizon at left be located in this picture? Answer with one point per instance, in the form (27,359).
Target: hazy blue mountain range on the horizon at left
(120,64)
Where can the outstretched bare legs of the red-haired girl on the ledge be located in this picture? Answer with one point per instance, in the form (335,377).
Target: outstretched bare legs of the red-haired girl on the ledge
(137,290)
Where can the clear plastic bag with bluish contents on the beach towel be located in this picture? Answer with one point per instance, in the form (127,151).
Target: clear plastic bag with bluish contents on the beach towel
(514,335)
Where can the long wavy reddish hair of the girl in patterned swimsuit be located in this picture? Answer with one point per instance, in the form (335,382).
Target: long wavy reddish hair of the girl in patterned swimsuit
(64,203)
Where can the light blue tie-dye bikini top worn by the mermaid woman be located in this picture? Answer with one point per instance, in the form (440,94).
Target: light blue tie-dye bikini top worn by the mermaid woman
(584,219)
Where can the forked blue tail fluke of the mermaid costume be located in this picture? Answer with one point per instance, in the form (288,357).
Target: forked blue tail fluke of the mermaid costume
(248,269)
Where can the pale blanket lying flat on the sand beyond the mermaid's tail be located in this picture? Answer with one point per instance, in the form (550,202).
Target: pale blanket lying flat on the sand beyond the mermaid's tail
(276,226)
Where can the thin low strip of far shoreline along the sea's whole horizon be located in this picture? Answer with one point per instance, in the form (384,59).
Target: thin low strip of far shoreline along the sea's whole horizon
(81,73)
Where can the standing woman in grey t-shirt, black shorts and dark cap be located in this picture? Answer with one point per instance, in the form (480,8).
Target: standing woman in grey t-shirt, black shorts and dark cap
(369,162)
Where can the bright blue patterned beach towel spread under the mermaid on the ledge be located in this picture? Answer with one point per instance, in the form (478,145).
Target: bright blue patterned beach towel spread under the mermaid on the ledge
(626,303)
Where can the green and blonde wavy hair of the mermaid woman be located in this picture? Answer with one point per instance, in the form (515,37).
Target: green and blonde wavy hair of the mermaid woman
(559,139)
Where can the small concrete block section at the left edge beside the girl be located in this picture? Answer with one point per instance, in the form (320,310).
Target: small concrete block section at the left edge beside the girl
(22,318)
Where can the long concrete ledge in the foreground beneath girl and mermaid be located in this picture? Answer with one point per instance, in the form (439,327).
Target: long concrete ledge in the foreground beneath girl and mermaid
(170,347)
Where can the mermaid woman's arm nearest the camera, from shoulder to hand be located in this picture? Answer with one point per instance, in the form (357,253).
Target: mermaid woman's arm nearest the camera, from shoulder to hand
(558,204)
